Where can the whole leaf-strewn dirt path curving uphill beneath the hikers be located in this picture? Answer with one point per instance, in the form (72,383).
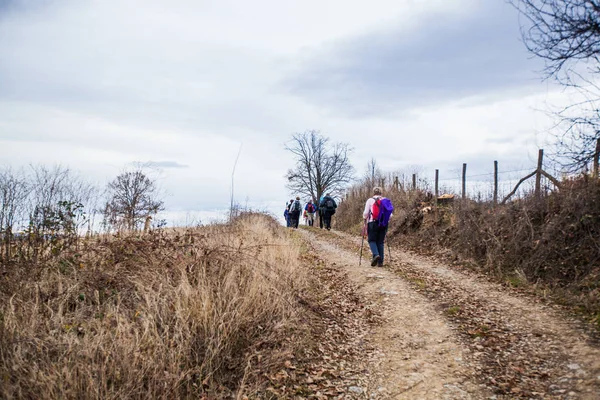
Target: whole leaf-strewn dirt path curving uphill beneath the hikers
(448,334)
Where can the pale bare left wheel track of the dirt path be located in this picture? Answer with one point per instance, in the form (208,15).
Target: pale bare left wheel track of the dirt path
(420,357)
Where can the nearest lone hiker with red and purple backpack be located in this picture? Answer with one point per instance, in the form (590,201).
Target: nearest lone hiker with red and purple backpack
(378,211)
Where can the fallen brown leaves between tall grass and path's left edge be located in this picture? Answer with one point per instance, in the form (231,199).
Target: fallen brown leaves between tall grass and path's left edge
(333,365)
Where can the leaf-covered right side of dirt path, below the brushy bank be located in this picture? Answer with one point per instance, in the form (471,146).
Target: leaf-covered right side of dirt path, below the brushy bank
(520,348)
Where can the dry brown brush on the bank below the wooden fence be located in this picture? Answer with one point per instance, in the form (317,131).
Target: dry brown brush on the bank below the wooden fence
(551,244)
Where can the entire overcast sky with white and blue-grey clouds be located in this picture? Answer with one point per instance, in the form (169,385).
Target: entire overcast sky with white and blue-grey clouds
(98,84)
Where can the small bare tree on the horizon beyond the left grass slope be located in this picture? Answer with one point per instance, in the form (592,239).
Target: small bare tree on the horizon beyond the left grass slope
(132,197)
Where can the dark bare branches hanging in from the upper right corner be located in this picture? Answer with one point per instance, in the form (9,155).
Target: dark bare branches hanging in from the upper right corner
(566,35)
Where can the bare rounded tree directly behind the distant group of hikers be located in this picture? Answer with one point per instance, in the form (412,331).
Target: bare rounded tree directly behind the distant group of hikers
(320,166)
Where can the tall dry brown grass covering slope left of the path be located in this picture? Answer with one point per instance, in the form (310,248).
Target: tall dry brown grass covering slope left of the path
(171,315)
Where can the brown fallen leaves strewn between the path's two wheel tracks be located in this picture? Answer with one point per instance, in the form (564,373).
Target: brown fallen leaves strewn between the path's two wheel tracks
(510,358)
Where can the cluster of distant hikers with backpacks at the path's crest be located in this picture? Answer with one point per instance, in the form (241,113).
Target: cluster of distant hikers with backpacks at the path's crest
(324,208)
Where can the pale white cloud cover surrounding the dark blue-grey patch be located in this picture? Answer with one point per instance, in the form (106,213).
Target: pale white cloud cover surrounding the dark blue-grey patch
(97,85)
